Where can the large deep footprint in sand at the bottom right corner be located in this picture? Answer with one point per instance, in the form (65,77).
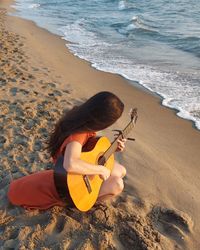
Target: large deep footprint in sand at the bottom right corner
(173,224)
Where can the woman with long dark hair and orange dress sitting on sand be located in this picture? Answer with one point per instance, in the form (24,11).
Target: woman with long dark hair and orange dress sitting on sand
(72,131)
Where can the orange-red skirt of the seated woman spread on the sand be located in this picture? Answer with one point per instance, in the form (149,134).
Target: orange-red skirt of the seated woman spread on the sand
(35,191)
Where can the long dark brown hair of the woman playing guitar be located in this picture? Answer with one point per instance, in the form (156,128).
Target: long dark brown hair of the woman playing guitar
(97,113)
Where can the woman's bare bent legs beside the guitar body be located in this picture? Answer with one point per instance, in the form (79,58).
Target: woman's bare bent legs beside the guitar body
(114,185)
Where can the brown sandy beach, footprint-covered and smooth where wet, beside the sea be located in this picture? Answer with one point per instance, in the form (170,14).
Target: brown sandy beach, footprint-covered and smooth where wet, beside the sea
(159,208)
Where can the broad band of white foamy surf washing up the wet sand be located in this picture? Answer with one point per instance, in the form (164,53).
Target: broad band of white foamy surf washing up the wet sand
(173,88)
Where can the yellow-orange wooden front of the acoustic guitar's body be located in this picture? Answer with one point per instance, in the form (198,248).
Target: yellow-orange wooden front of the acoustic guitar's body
(83,197)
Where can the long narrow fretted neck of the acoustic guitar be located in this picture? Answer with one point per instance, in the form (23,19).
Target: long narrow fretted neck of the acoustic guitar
(114,145)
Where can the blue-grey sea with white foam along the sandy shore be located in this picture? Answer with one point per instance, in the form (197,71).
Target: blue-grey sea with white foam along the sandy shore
(153,42)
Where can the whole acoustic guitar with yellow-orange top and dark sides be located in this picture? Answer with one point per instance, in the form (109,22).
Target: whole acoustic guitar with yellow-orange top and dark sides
(82,190)
